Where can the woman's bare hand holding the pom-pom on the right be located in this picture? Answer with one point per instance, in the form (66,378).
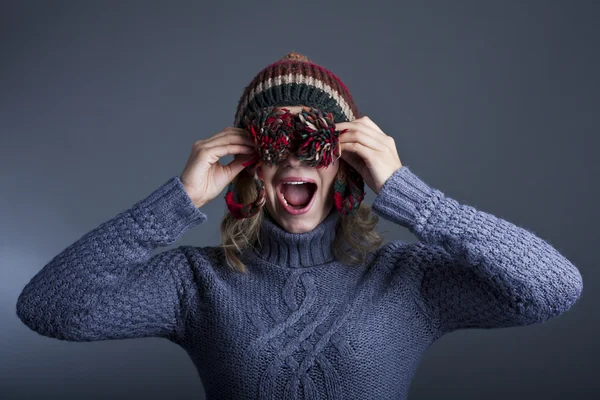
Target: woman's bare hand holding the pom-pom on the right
(371,152)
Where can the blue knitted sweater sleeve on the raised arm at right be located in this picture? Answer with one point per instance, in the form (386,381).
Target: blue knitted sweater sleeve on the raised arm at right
(475,270)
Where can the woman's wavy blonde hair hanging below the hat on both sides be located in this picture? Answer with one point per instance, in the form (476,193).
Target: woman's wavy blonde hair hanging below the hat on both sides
(357,230)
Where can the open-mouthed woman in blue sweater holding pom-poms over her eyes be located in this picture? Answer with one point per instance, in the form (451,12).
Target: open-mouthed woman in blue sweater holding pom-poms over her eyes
(300,301)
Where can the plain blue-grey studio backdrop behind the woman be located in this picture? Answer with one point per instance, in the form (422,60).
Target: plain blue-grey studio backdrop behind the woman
(494,103)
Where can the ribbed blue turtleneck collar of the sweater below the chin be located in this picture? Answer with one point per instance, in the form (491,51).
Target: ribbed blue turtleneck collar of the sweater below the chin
(298,250)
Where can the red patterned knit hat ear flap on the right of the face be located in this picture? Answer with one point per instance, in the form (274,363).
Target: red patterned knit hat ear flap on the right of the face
(349,189)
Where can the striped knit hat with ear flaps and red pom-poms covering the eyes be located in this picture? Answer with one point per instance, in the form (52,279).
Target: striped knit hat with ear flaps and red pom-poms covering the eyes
(292,81)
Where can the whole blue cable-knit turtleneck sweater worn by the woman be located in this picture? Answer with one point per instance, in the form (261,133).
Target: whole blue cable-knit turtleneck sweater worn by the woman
(300,324)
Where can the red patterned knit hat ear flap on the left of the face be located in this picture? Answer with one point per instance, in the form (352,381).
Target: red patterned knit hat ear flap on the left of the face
(246,184)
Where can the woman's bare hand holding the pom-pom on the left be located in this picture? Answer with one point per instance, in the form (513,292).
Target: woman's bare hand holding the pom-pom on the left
(204,177)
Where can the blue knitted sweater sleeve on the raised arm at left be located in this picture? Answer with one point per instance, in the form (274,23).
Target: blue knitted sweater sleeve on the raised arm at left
(106,285)
